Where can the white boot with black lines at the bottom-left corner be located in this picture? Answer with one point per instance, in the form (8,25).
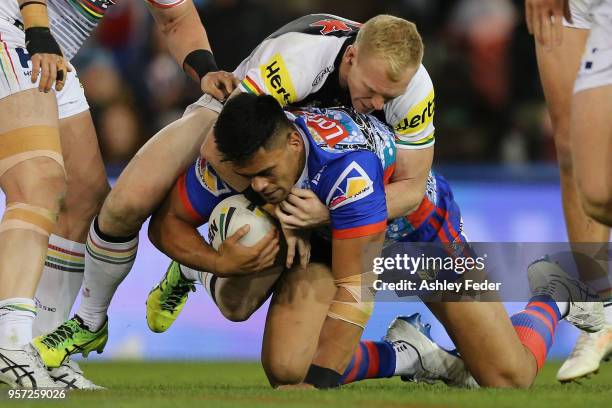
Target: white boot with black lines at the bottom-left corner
(24,369)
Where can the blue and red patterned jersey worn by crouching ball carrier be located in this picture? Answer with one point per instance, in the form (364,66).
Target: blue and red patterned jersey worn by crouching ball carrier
(348,158)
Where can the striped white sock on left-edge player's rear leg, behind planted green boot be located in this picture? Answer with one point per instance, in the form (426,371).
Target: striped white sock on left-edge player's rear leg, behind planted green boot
(59,283)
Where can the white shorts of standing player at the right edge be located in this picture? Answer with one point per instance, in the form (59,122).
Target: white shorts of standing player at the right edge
(596,65)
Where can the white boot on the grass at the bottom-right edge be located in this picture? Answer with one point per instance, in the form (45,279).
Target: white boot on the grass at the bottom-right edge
(590,350)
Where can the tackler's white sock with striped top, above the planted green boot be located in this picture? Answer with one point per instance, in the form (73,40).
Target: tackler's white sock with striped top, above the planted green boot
(106,265)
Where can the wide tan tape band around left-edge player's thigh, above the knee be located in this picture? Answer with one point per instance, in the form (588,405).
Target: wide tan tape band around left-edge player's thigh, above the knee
(27,143)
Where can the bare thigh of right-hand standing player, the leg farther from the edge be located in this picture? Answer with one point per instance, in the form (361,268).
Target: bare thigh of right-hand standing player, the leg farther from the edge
(558,67)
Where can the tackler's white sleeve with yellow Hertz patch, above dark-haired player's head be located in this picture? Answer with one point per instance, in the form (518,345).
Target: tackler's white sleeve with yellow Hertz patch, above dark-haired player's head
(277,67)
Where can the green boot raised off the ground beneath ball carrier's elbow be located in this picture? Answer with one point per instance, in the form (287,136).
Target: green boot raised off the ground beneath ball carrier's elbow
(166,300)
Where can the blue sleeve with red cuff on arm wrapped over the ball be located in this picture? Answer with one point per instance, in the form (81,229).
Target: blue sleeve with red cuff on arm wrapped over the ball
(201,189)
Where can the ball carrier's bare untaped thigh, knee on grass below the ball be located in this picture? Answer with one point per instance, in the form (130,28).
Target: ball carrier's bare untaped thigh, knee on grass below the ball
(297,312)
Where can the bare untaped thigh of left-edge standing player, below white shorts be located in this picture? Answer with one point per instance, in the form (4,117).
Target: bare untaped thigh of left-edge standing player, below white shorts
(86,175)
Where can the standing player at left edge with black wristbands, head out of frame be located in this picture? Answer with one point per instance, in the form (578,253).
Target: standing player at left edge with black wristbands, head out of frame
(51,170)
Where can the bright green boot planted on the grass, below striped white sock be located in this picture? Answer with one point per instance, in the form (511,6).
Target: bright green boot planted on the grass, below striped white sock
(71,337)
